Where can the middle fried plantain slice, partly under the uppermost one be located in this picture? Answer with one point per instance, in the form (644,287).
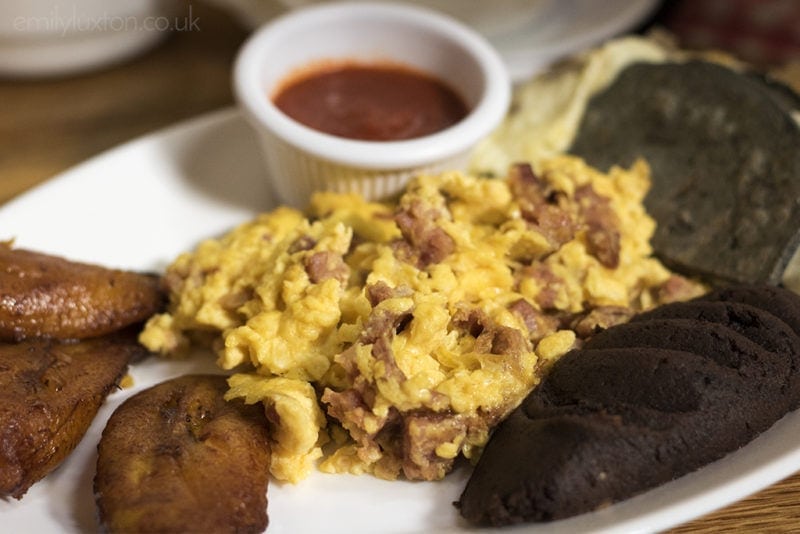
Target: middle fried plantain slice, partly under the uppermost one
(49,394)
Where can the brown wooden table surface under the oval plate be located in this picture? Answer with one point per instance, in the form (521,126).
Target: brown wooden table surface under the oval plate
(47,126)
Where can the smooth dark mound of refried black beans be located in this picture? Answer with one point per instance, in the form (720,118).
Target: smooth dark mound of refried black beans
(641,404)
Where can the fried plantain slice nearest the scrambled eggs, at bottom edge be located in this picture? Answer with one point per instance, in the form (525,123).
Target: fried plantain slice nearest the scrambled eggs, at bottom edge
(179,458)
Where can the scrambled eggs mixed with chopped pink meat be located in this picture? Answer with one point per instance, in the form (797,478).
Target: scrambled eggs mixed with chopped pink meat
(389,338)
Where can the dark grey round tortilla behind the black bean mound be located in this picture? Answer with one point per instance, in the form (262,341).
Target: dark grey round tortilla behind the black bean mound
(725,159)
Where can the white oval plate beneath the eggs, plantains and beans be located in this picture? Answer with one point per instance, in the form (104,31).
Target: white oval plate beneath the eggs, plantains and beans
(140,205)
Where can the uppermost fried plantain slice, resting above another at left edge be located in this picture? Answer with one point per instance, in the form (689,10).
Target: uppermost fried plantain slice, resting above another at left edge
(48,296)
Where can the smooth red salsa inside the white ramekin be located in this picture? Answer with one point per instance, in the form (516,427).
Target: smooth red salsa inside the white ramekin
(369,102)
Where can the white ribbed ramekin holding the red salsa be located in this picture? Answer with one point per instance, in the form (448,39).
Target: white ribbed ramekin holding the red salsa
(301,160)
